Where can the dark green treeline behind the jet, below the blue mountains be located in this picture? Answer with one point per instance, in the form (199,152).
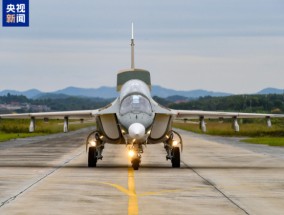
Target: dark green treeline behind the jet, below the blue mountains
(272,103)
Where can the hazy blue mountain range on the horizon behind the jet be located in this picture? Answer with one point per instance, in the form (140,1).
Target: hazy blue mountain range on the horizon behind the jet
(110,92)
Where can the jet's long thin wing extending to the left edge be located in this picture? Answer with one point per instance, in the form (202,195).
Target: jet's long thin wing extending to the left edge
(82,114)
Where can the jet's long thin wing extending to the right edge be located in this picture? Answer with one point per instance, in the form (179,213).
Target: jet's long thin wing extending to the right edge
(196,114)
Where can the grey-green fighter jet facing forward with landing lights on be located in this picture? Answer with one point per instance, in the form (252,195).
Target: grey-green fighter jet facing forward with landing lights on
(134,119)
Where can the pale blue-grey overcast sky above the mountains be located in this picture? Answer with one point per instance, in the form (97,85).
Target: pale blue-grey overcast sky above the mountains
(235,46)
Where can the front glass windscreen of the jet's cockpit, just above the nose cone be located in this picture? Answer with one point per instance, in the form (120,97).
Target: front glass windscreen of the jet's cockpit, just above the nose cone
(135,104)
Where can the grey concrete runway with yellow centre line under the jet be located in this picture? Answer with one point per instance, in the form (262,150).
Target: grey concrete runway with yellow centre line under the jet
(49,175)
